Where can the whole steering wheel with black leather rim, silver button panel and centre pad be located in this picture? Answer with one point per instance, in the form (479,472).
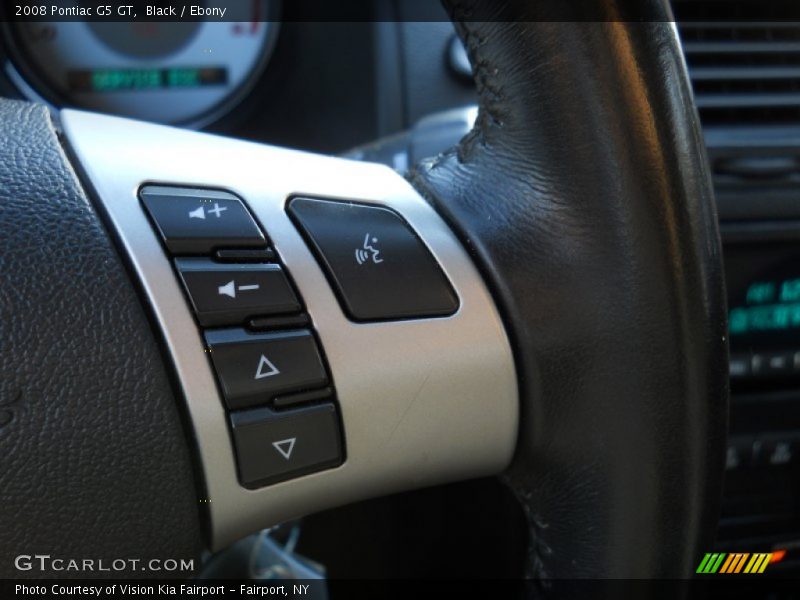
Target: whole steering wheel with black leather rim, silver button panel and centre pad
(572,341)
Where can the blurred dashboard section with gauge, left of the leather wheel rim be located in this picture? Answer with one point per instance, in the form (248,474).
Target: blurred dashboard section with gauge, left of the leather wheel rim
(323,87)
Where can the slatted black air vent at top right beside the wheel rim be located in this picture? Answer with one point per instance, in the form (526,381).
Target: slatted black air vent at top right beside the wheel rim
(743,72)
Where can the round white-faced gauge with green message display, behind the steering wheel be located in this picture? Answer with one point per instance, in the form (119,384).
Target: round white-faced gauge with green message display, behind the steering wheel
(186,72)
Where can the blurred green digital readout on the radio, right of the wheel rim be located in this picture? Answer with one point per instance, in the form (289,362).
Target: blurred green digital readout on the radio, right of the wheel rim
(769,306)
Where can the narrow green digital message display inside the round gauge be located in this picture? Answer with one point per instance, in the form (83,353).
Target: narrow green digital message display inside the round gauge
(118,80)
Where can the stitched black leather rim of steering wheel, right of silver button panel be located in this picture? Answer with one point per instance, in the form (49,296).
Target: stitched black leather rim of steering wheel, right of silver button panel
(583,193)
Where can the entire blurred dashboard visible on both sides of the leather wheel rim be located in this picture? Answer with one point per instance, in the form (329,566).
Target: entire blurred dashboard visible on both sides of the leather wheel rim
(332,87)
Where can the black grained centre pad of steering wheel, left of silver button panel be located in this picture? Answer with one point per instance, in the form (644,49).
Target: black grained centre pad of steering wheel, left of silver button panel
(96,460)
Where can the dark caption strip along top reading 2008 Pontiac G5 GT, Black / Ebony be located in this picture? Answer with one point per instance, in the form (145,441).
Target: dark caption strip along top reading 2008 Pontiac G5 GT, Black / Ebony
(392,10)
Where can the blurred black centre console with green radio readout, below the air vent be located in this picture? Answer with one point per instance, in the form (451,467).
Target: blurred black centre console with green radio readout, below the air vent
(761,502)
